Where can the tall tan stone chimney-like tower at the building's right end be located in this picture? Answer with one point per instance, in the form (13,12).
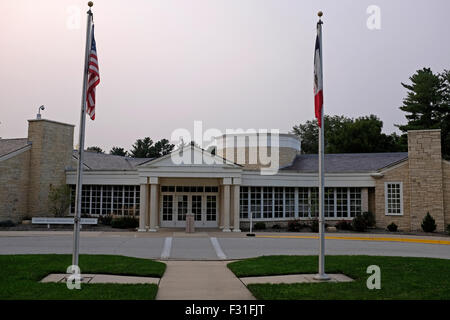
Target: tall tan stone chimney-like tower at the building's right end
(425,174)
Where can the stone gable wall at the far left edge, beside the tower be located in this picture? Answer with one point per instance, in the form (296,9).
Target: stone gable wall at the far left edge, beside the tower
(14,175)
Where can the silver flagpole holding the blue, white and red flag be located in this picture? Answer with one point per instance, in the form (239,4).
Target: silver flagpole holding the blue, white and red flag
(321,275)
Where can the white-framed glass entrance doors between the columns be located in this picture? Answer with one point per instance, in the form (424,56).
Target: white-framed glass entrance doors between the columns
(175,207)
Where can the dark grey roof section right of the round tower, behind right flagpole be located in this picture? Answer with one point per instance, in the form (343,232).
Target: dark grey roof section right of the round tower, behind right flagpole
(347,162)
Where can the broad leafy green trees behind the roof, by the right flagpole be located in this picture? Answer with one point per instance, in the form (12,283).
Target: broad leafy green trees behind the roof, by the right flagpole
(347,135)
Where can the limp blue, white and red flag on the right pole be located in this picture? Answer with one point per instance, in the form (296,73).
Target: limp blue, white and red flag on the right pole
(318,78)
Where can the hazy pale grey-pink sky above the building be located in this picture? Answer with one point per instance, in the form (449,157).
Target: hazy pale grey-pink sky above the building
(228,63)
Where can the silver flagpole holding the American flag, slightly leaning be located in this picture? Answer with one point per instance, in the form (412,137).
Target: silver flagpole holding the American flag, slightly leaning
(77,218)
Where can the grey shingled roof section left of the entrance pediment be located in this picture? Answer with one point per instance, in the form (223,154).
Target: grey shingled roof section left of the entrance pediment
(101,161)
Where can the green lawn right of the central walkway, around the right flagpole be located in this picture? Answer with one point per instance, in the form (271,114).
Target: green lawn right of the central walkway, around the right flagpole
(401,277)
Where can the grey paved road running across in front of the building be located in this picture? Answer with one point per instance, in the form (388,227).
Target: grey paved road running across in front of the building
(218,246)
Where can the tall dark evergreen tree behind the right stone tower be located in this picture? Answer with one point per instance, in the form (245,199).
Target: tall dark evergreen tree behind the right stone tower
(427,104)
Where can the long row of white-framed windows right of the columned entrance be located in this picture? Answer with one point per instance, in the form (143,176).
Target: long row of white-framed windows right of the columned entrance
(290,202)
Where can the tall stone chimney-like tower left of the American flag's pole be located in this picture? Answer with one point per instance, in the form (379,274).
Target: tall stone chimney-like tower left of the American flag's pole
(51,153)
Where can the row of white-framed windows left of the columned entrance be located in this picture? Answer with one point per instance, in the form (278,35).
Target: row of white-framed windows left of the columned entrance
(107,199)
